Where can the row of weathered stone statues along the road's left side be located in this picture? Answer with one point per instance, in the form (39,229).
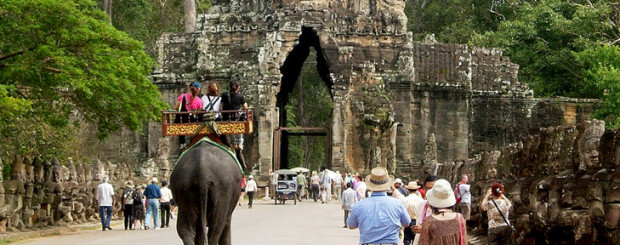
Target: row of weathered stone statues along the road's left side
(42,193)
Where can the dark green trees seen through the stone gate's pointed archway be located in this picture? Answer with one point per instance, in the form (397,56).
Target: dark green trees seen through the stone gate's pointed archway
(309,152)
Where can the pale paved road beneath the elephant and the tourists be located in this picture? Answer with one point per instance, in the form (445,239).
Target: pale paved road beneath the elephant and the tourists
(304,223)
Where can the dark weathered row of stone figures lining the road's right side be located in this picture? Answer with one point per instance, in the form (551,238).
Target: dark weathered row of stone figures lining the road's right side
(562,182)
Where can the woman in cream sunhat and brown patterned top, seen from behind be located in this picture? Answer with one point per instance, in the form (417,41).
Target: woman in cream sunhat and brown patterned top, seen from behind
(444,226)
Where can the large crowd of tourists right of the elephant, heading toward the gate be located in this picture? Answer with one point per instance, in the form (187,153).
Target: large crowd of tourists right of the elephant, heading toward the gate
(421,212)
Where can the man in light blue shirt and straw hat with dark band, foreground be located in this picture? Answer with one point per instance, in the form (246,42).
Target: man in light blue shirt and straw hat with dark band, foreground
(379,217)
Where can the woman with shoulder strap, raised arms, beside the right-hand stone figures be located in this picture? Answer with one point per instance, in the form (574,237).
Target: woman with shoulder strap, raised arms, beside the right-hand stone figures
(497,208)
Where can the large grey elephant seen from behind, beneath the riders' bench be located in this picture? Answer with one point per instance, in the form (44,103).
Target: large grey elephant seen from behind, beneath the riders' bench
(205,184)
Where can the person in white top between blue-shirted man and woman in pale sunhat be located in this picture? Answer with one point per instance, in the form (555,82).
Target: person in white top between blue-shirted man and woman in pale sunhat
(411,203)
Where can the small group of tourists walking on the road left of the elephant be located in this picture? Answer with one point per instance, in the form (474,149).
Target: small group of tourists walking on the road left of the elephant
(140,205)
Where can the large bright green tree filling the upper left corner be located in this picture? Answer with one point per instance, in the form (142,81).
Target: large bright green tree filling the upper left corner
(61,62)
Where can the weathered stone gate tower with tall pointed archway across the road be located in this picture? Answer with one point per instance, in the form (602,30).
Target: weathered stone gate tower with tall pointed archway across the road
(389,93)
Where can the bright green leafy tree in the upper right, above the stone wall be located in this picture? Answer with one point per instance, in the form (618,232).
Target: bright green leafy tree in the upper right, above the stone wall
(543,37)
